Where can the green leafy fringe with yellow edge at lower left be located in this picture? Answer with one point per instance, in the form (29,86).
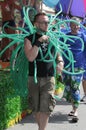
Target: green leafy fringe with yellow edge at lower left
(11,104)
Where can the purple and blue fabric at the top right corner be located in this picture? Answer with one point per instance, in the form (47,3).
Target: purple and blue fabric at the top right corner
(73,7)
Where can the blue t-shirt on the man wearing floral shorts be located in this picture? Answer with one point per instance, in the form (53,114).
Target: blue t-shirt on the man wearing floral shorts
(76,48)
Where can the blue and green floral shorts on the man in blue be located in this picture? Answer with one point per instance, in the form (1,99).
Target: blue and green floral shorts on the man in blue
(72,88)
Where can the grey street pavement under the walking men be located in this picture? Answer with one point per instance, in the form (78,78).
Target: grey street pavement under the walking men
(59,119)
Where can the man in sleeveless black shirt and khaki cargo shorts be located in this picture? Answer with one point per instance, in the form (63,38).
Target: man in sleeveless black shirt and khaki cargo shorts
(41,94)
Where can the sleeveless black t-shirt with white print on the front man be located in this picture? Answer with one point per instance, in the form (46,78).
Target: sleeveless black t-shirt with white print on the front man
(44,68)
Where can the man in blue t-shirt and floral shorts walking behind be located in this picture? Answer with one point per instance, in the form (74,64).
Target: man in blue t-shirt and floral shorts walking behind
(72,81)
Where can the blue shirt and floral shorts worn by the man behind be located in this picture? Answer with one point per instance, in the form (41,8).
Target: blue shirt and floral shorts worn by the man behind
(72,82)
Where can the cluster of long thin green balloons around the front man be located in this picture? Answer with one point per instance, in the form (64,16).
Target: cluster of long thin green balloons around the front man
(19,63)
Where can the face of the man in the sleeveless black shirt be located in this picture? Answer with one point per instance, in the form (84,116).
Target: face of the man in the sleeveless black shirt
(42,23)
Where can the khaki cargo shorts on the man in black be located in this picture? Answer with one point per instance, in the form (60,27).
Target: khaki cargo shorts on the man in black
(41,94)
